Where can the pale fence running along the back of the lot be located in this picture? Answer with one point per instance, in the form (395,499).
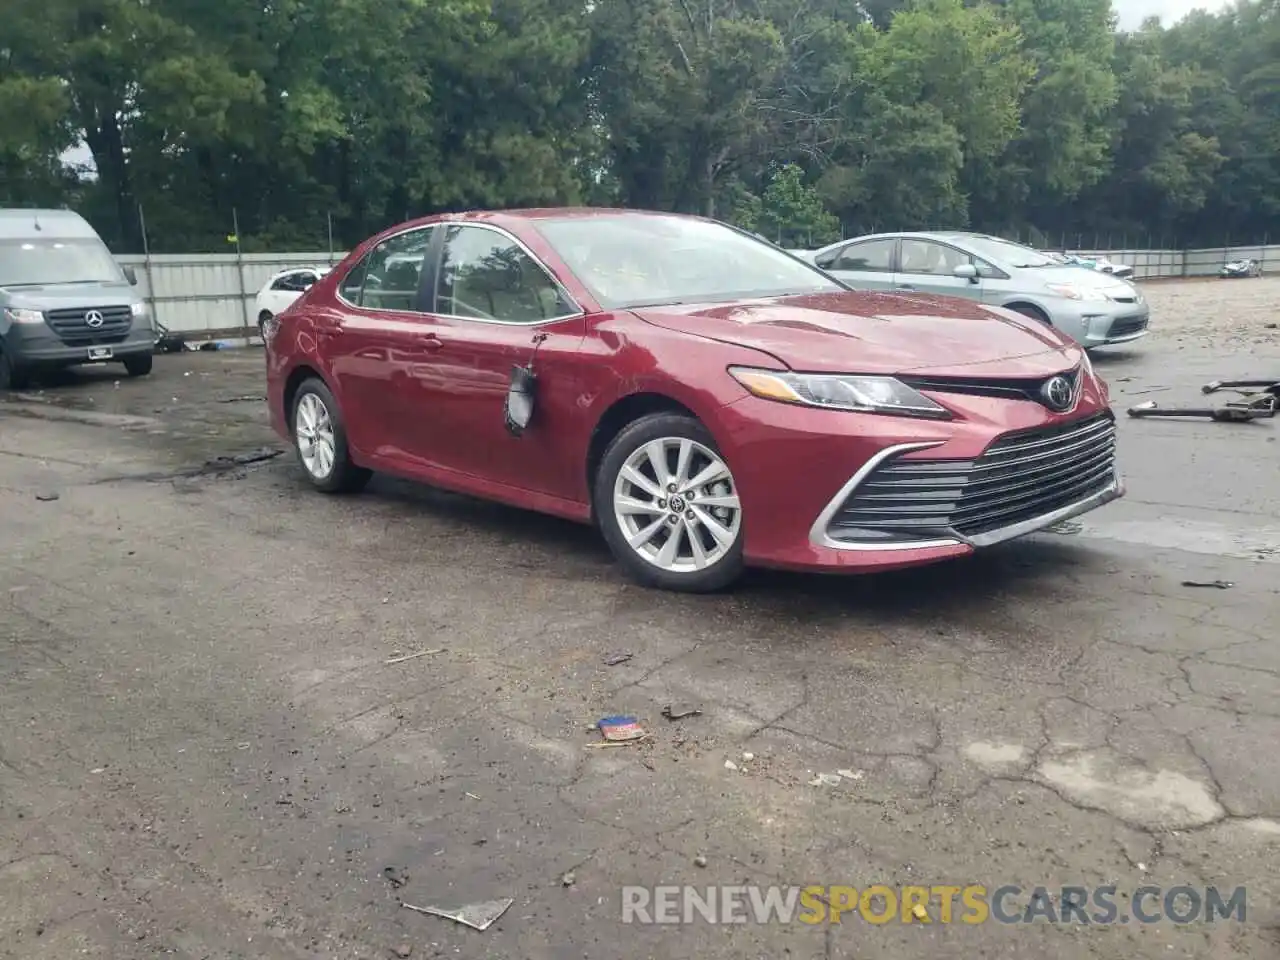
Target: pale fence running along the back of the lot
(212,295)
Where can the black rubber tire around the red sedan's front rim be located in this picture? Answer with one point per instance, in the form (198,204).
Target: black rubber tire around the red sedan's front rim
(720,574)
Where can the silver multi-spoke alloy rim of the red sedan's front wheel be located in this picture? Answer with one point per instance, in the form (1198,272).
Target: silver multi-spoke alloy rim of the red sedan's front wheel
(676,504)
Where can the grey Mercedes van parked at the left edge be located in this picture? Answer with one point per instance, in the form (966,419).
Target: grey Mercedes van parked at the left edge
(65,300)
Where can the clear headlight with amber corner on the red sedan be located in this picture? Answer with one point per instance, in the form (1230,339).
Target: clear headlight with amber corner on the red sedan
(867,395)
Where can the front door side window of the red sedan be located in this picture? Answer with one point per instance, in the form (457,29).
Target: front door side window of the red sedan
(486,276)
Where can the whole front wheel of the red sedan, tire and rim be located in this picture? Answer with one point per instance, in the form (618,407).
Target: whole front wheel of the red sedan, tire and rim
(669,508)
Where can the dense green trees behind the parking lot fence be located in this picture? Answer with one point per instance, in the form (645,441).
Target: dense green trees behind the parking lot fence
(794,118)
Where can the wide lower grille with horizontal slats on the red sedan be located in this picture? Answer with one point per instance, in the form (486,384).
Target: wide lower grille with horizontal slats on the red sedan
(1020,478)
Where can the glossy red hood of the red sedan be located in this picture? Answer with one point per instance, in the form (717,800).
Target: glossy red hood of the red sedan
(879,333)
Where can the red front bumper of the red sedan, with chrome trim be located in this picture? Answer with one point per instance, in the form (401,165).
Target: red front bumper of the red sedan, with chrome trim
(798,469)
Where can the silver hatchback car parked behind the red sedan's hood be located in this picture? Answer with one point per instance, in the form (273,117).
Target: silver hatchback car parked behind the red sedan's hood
(1092,308)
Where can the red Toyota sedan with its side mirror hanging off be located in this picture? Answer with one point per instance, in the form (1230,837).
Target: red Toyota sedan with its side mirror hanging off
(706,399)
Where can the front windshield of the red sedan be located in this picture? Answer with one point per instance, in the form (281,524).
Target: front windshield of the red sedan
(632,260)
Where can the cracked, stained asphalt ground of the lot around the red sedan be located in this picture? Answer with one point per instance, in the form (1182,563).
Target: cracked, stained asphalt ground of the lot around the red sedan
(205,753)
